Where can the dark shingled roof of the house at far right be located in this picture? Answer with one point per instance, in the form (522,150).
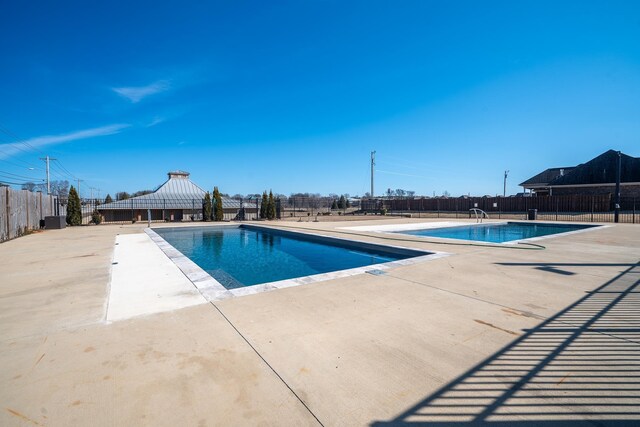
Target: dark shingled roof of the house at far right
(599,170)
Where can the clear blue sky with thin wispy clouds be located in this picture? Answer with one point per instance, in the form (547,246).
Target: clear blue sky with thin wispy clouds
(293,96)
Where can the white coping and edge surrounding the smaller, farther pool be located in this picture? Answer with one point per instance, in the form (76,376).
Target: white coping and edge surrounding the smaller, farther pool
(394,229)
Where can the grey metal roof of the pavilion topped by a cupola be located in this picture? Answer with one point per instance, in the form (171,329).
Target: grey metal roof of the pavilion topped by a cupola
(177,192)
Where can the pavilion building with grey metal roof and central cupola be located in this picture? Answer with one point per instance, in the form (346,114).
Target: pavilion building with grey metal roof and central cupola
(178,199)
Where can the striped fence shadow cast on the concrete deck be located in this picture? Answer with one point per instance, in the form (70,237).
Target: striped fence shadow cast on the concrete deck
(579,367)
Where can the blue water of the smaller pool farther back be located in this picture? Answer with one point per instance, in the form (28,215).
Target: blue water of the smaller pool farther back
(497,233)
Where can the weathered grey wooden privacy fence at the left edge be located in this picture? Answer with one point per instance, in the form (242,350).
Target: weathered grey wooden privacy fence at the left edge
(21,211)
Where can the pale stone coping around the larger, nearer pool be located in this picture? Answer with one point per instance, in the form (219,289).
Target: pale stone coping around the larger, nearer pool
(213,290)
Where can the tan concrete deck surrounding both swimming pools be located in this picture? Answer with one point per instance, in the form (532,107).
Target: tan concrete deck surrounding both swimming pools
(488,334)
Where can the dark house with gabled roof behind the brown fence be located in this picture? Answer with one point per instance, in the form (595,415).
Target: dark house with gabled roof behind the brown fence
(597,176)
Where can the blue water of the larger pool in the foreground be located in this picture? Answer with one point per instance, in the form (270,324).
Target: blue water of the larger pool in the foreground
(244,256)
